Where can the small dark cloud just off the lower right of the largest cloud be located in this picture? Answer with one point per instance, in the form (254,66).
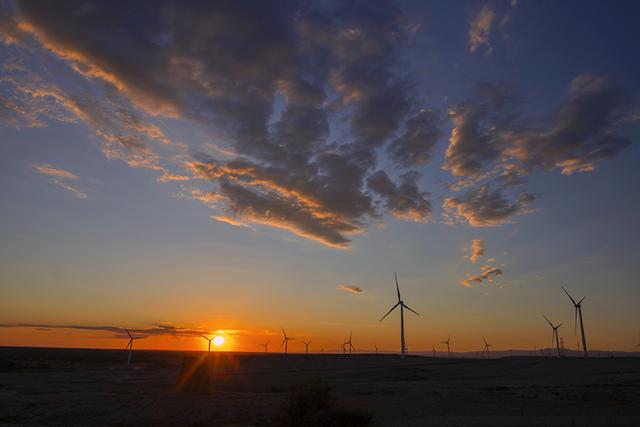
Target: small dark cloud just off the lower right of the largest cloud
(403,201)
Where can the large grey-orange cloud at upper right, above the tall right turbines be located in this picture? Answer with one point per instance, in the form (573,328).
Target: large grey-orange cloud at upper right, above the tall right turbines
(490,136)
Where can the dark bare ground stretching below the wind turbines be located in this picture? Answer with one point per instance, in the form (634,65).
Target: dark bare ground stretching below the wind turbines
(97,388)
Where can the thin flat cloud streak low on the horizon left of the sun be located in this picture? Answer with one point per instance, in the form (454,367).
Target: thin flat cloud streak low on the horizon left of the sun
(159,329)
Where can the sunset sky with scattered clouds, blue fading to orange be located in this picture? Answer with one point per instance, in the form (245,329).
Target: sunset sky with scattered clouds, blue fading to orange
(234,168)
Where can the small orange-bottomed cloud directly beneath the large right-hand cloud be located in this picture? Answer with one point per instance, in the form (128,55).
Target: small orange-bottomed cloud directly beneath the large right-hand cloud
(485,207)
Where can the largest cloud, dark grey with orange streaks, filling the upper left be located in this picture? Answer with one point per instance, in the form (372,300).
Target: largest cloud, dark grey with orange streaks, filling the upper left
(267,81)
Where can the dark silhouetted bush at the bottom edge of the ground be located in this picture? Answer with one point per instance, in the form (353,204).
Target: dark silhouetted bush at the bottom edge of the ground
(312,405)
